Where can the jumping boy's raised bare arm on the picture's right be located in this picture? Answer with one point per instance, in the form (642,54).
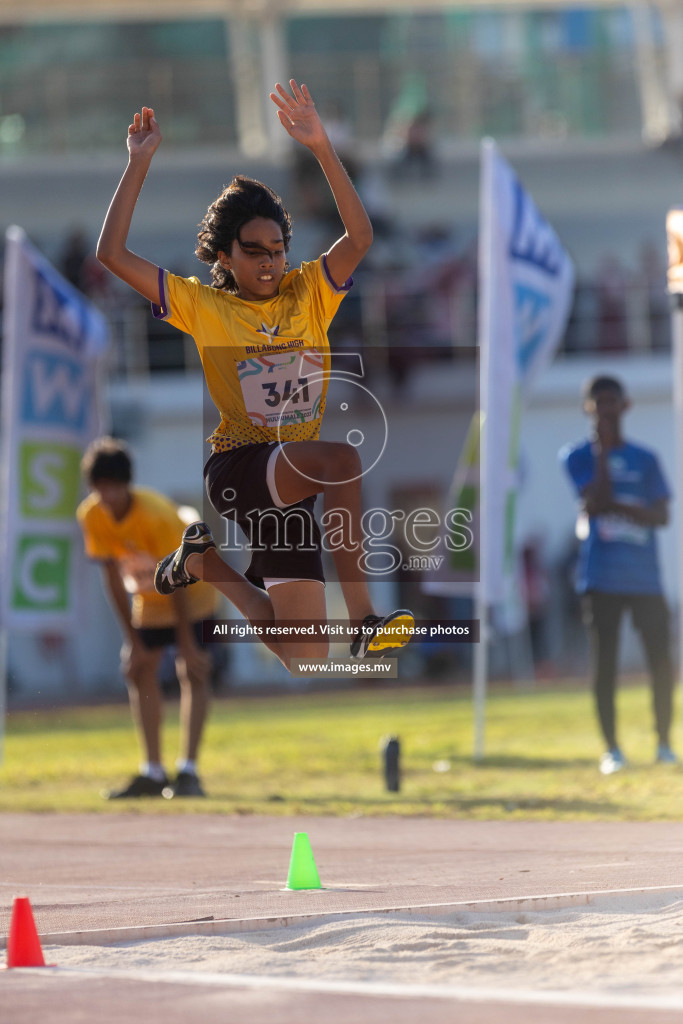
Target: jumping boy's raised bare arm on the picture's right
(301,119)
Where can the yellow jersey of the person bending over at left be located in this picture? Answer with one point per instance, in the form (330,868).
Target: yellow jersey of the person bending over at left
(151,530)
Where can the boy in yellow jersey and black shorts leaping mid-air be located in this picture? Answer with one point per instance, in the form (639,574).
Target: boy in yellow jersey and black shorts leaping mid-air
(262,333)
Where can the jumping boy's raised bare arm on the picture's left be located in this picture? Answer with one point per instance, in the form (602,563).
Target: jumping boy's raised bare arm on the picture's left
(144,140)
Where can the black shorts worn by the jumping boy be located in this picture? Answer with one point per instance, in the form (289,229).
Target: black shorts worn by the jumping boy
(284,543)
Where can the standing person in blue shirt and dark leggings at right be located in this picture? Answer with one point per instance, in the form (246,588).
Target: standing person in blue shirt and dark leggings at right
(624,498)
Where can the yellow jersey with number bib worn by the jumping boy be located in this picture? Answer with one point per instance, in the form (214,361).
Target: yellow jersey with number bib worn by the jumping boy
(267,363)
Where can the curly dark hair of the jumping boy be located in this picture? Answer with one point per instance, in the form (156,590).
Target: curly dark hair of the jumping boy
(239,203)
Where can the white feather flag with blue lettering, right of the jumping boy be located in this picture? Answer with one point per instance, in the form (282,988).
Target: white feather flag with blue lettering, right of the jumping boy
(526,290)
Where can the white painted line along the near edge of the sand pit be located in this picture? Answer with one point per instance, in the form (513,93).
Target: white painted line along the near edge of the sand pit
(460,994)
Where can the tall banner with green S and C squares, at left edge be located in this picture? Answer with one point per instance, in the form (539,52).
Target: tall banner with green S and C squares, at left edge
(54,347)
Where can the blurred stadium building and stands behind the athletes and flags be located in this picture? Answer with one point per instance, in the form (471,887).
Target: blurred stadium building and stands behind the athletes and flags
(584,101)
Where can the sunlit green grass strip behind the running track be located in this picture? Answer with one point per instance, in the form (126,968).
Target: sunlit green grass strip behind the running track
(320,754)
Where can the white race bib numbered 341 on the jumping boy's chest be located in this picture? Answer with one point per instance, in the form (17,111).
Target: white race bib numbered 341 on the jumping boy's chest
(282,389)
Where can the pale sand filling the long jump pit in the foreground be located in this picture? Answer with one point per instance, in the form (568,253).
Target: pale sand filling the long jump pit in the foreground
(609,950)
